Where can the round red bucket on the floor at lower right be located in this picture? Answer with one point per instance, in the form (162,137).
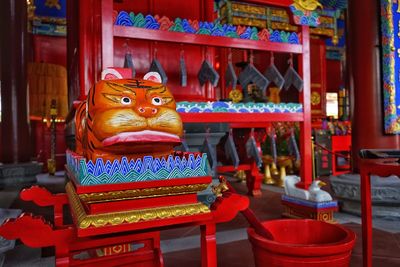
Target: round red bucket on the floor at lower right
(302,243)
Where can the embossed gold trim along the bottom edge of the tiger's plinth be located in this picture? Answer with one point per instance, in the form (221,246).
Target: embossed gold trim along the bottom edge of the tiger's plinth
(83,220)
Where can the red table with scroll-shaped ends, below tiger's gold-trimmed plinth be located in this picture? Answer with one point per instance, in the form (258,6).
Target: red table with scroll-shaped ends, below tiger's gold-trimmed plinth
(111,245)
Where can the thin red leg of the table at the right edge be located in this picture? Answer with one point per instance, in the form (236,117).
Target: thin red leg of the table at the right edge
(366,218)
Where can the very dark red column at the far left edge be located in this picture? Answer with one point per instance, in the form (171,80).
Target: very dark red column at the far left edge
(14,118)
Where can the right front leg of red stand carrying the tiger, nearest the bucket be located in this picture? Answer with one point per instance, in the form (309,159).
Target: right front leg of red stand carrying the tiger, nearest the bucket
(208,245)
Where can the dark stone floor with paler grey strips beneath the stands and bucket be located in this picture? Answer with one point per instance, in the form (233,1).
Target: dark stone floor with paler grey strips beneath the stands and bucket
(181,246)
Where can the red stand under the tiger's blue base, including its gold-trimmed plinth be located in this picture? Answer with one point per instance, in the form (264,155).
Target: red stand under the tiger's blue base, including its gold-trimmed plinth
(108,235)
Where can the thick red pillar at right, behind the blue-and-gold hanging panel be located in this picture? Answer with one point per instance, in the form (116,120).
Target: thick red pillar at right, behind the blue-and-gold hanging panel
(365,80)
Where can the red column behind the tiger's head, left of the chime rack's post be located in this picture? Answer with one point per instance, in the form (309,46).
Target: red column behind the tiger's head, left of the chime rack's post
(84,44)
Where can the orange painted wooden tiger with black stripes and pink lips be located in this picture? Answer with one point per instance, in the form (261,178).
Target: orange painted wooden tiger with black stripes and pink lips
(127,118)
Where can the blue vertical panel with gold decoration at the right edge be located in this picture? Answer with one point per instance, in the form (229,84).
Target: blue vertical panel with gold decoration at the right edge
(390,19)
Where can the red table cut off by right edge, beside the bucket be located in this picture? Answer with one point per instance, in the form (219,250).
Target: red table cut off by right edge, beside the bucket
(381,167)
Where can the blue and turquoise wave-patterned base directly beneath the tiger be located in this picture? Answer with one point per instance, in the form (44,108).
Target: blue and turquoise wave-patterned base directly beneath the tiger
(140,170)
